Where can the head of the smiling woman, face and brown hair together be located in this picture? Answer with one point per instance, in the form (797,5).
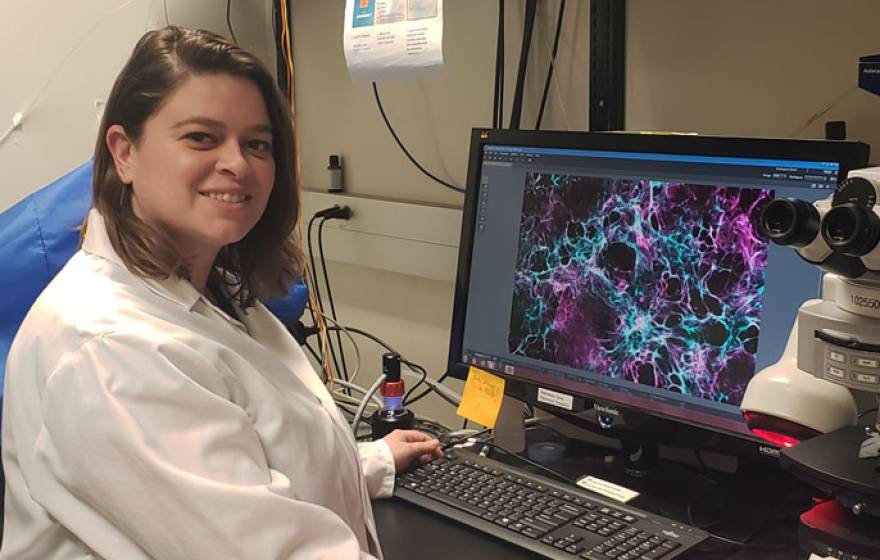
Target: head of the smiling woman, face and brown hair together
(183,103)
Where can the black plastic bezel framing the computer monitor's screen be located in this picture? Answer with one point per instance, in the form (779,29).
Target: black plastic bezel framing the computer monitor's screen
(850,155)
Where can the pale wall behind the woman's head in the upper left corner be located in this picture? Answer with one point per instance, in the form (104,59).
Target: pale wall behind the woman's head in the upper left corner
(58,58)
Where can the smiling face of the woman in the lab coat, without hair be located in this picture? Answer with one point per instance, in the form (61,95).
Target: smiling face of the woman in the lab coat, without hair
(203,168)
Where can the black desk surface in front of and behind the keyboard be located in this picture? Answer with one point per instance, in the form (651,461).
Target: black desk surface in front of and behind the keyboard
(756,506)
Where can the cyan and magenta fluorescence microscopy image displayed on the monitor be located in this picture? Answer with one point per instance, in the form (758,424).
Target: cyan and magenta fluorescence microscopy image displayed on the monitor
(654,282)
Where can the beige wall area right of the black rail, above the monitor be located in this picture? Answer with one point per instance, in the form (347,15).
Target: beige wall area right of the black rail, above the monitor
(751,67)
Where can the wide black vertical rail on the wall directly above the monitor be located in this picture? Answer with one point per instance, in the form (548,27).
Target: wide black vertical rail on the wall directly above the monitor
(607,64)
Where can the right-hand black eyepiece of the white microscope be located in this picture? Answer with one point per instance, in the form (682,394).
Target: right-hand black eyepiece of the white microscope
(851,229)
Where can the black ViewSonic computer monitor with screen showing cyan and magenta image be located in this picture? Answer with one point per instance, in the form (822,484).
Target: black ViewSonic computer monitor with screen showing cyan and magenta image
(626,269)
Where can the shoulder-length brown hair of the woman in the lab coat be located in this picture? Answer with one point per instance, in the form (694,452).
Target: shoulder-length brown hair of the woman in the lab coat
(268,258)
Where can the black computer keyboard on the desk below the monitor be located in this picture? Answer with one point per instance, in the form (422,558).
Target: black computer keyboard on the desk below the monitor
(549,518)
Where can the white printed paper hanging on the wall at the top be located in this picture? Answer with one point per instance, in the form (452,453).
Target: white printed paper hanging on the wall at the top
(392,38)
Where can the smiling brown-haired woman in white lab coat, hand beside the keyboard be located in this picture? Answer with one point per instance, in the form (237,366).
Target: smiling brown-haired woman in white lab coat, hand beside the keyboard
(153,407)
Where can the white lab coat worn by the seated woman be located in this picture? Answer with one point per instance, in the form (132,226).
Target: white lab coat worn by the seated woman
(140,421)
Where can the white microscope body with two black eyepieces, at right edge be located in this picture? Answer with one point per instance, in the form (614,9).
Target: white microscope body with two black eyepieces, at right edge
(830,370)
